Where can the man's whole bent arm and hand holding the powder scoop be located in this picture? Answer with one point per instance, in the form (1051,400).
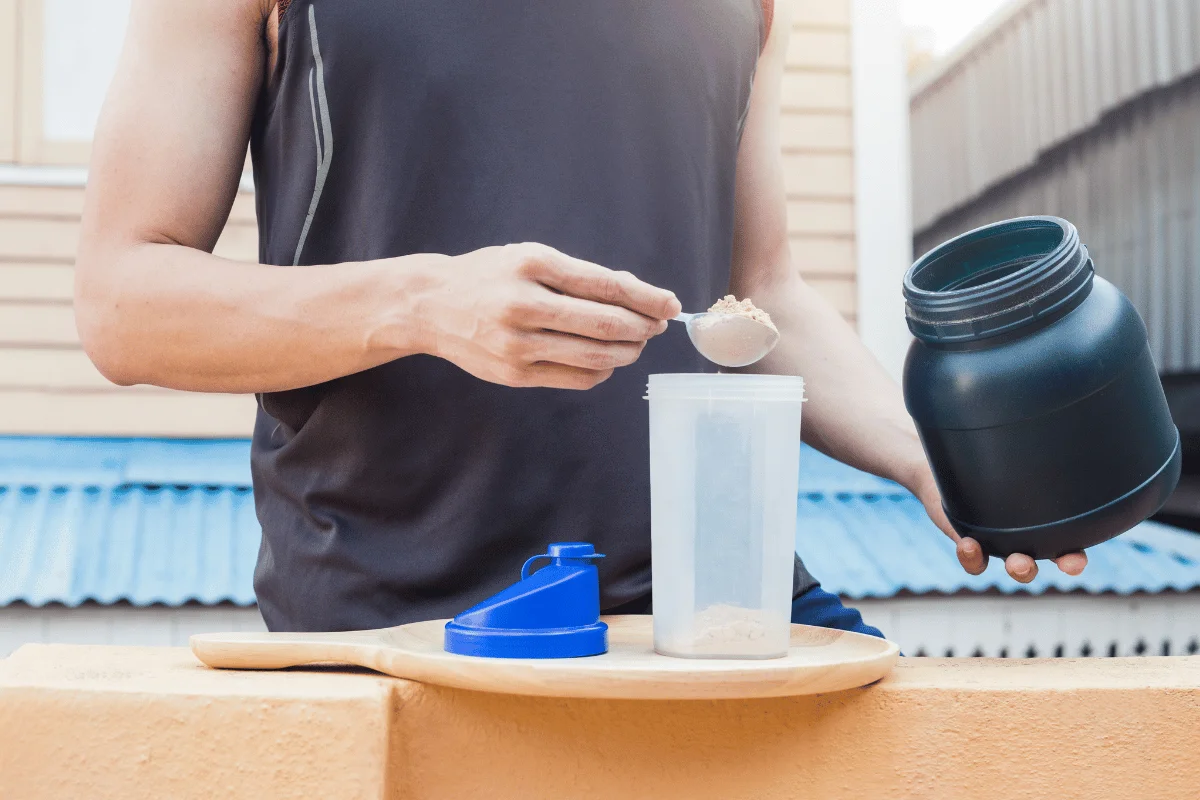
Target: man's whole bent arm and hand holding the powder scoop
(154,306)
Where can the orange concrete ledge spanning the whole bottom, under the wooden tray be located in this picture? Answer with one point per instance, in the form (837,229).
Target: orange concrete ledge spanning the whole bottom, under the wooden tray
(131,724)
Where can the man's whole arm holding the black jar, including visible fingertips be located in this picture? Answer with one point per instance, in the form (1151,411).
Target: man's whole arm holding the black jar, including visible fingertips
(855,411)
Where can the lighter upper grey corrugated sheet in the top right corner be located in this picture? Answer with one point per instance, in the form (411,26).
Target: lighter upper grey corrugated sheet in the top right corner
(1040,74)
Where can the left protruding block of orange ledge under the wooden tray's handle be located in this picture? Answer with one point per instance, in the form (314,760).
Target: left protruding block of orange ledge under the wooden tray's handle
(154,724)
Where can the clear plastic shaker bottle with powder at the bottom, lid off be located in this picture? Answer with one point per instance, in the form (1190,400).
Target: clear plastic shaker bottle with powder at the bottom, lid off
(724,468)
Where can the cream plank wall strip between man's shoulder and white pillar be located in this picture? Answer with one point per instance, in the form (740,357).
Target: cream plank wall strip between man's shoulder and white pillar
(819,151)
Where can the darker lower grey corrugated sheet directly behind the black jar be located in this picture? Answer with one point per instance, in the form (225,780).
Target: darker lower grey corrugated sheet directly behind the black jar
(1132,187)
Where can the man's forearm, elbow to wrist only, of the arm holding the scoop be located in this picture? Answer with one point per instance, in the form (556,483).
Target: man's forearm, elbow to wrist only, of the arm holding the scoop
(182,318)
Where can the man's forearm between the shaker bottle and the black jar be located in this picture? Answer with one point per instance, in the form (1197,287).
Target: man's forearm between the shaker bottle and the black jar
(855,412)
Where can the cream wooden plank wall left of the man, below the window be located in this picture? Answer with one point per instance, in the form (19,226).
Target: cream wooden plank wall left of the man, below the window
(47,384)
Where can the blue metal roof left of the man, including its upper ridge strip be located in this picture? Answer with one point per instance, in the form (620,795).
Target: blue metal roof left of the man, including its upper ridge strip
(140,521)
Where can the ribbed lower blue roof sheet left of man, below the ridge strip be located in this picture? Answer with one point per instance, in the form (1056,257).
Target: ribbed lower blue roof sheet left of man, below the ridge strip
(135,544)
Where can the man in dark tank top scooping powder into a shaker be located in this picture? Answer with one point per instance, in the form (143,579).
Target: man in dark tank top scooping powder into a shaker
(476,220)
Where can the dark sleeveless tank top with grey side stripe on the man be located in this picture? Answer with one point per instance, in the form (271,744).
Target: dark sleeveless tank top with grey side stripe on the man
(607,130)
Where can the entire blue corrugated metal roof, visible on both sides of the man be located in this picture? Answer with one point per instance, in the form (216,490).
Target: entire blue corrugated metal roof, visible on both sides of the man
(170,522)
